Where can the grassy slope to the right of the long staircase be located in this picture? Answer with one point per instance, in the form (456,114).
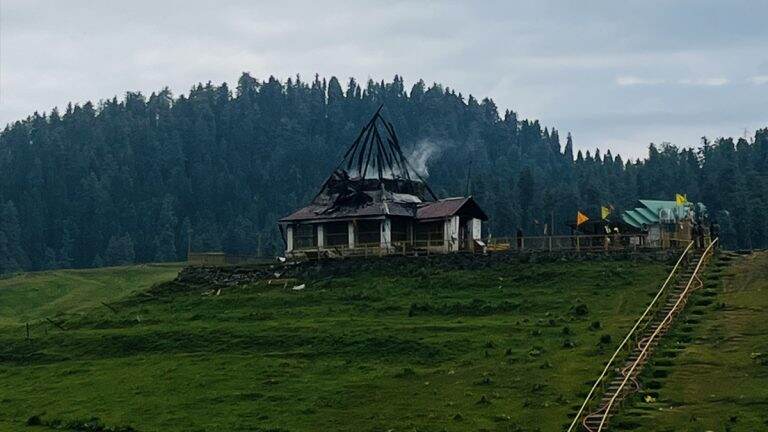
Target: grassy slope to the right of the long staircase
(712,370)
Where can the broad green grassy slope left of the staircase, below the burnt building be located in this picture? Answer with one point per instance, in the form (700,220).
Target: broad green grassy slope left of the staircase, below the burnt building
(509,347)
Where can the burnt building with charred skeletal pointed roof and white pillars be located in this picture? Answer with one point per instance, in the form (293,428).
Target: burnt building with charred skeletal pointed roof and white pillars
(374,202)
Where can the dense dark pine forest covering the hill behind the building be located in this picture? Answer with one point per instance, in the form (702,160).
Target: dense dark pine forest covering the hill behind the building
(138,179)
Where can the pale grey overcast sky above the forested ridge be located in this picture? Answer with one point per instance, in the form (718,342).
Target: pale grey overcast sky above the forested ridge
(616,74)
